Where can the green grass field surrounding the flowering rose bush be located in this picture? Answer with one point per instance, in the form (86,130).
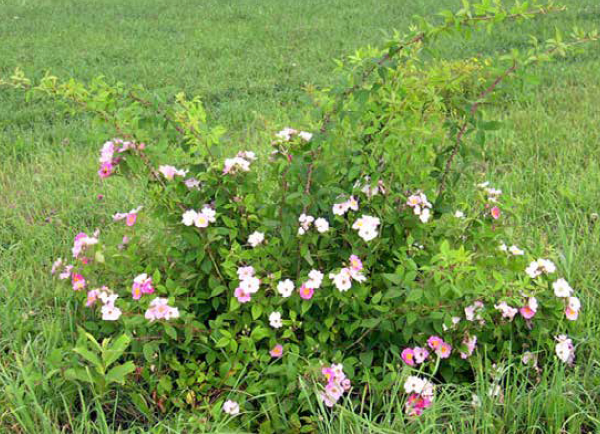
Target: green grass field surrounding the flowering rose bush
(249,61)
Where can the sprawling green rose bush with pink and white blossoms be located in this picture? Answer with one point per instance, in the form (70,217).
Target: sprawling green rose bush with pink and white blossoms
(347,246)
